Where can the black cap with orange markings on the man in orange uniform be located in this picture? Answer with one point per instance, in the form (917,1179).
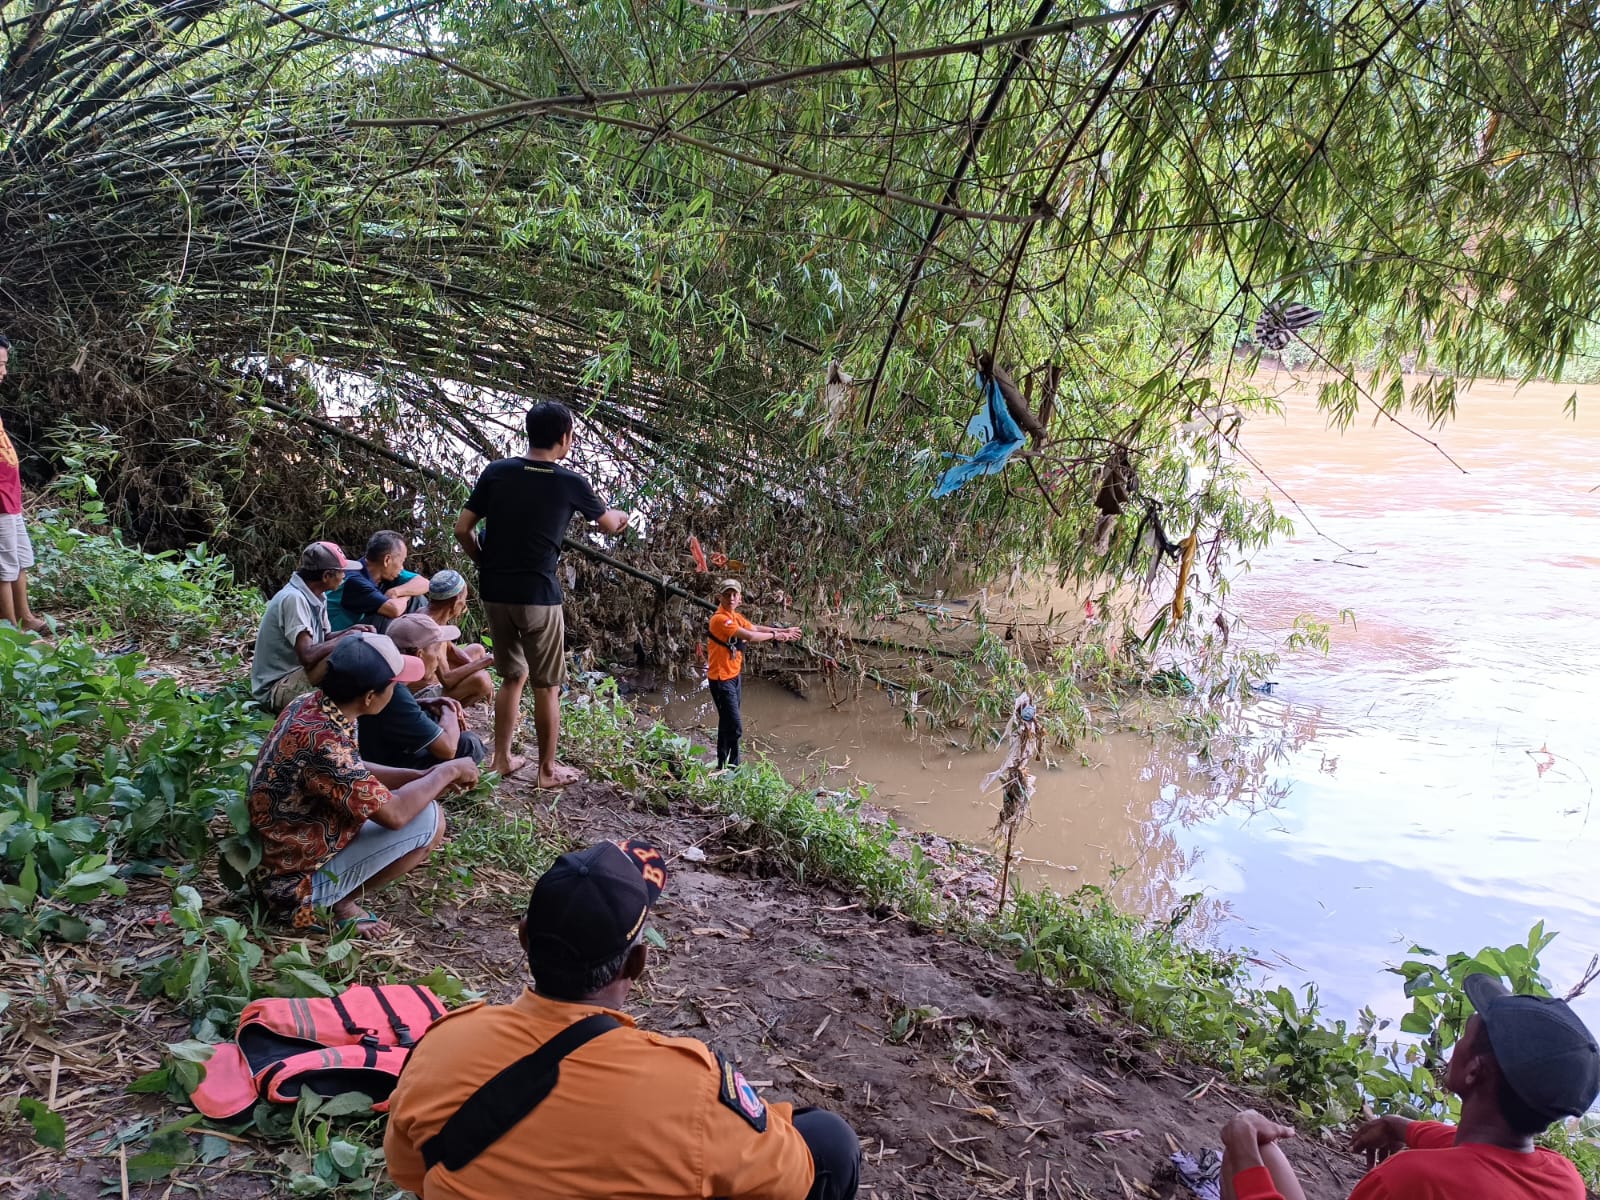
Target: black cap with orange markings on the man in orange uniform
(591,905)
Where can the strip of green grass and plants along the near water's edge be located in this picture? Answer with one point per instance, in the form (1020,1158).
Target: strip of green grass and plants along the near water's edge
(1201,1001)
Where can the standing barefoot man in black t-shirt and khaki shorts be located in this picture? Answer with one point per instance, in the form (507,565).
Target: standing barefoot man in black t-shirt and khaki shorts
(526,506)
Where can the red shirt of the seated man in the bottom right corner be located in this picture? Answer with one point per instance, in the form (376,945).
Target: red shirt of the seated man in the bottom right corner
(1436,1169)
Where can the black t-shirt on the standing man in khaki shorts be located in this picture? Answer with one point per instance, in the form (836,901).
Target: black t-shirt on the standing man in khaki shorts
(527,508)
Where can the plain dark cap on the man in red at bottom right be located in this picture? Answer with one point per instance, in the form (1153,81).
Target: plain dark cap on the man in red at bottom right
(1546,1055)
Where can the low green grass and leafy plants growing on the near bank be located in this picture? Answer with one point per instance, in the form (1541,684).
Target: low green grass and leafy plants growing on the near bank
(121,783)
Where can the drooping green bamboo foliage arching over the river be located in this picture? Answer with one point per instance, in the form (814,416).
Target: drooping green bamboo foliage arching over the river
(407,220)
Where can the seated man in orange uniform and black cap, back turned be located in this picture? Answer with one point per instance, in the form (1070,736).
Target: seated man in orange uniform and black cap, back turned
(561,1097)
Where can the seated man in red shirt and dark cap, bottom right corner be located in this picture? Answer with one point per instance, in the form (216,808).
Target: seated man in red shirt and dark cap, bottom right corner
(1524,1063)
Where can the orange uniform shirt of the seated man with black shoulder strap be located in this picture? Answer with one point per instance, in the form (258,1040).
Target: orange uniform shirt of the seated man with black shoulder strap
(634,1116)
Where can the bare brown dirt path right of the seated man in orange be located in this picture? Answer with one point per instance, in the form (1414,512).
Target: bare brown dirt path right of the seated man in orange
(961,1076)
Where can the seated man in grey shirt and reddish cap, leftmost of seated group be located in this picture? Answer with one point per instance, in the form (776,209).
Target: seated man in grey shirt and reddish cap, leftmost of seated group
(295,641)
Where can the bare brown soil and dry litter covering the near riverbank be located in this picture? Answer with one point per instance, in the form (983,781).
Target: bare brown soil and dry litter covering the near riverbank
(964,1078)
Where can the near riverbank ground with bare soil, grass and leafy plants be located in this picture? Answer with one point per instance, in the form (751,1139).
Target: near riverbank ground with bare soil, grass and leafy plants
(841,959)
